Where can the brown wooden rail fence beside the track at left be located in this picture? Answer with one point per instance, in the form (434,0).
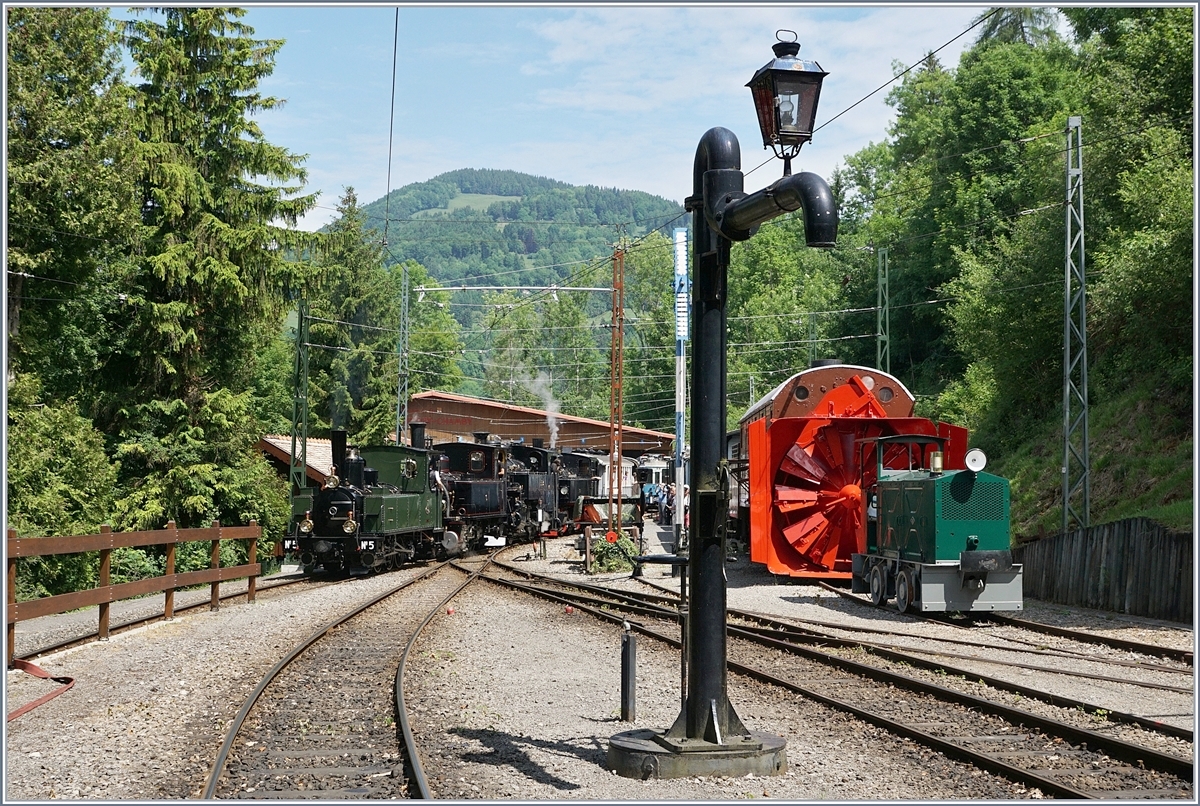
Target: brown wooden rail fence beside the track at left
(104,594)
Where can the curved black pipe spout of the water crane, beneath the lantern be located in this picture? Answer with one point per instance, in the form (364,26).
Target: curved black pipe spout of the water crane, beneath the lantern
(741,218)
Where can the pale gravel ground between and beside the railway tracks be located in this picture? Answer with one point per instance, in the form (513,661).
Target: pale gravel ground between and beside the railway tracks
(513,697)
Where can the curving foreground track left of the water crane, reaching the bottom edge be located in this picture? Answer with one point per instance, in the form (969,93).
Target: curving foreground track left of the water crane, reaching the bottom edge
(328,721)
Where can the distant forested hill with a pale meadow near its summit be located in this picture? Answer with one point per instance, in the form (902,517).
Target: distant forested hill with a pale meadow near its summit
(476,226)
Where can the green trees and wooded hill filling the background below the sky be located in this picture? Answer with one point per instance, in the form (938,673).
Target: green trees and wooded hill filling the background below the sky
(155,274)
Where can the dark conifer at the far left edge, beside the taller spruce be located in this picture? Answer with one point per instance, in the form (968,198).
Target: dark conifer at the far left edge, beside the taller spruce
(71,158)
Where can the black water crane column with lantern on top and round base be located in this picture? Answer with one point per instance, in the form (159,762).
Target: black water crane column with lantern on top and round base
(709,738)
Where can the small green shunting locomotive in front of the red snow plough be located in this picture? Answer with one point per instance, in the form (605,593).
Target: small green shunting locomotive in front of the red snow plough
(938,540)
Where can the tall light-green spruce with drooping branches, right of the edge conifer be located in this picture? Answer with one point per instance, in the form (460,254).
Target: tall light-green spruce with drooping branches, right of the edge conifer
(219,203)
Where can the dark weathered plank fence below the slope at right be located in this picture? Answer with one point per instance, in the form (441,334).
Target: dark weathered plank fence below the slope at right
(1132,567)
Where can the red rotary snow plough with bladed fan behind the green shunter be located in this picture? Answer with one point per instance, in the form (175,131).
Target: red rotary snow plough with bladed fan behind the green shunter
(811,458)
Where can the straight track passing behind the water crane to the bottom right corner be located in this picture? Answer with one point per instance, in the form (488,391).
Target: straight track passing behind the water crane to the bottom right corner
(1060,759)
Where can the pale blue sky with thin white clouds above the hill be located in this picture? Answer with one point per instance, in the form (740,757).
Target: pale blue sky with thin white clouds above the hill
(615,97)
